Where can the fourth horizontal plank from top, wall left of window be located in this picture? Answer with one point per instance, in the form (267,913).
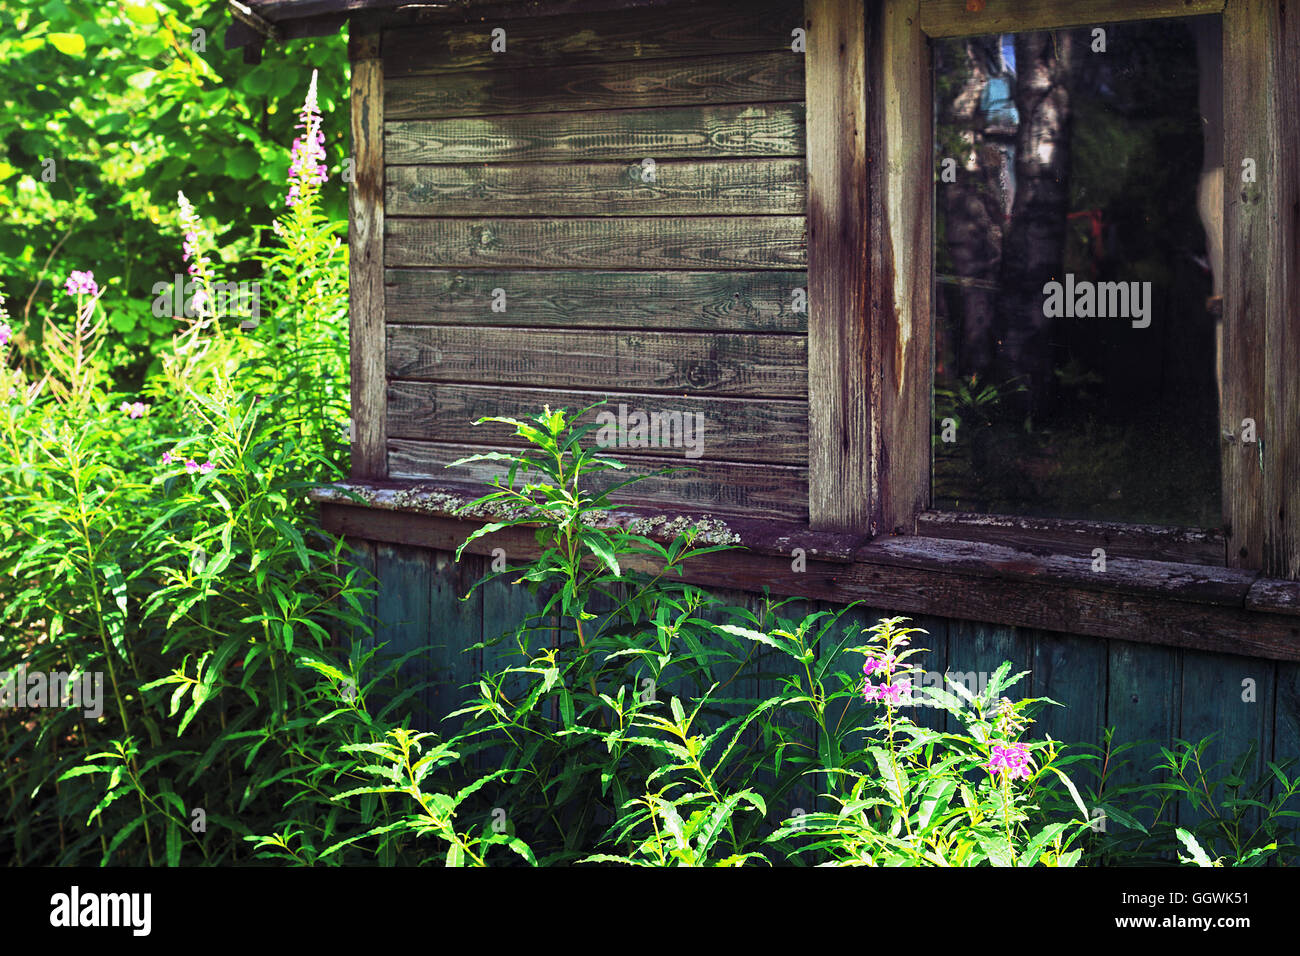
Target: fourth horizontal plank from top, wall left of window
(673,188)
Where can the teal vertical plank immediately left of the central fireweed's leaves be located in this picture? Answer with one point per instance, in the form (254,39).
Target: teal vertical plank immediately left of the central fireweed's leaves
(460,629)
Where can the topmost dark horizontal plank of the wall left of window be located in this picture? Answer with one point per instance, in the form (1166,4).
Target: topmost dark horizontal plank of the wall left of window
(605,37)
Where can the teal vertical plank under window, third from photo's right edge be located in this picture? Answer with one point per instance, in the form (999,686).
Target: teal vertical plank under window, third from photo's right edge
(1143,702)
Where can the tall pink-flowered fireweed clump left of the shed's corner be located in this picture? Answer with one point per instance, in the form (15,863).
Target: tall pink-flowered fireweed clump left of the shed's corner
(164,544)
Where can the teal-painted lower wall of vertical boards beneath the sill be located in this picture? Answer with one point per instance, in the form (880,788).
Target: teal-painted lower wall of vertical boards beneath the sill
(1143,691)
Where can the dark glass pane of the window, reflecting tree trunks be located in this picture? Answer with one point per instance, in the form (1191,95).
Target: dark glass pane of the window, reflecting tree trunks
(1100,171)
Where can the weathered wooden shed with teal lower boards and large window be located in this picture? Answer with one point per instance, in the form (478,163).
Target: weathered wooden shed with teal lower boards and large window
(729,210)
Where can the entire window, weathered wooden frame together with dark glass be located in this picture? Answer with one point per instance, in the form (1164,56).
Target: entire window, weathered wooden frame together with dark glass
(879,309)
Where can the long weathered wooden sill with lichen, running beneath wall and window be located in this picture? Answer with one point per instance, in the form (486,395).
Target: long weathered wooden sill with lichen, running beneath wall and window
(1171,603)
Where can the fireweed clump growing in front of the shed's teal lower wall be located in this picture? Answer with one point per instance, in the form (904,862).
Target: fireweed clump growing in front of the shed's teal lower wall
(622,724)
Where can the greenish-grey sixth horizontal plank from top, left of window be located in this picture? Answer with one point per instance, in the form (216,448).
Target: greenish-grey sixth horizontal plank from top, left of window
(723,301)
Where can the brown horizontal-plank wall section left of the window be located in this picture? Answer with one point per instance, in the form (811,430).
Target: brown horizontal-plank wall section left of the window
(523,172)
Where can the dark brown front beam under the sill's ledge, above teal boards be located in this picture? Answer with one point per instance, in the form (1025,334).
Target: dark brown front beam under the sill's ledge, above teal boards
(1124,604)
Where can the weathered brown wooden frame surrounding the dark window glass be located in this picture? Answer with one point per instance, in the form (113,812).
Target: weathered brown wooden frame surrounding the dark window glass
(872,325)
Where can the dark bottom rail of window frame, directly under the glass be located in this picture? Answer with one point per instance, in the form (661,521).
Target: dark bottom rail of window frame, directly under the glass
(1150,543)
